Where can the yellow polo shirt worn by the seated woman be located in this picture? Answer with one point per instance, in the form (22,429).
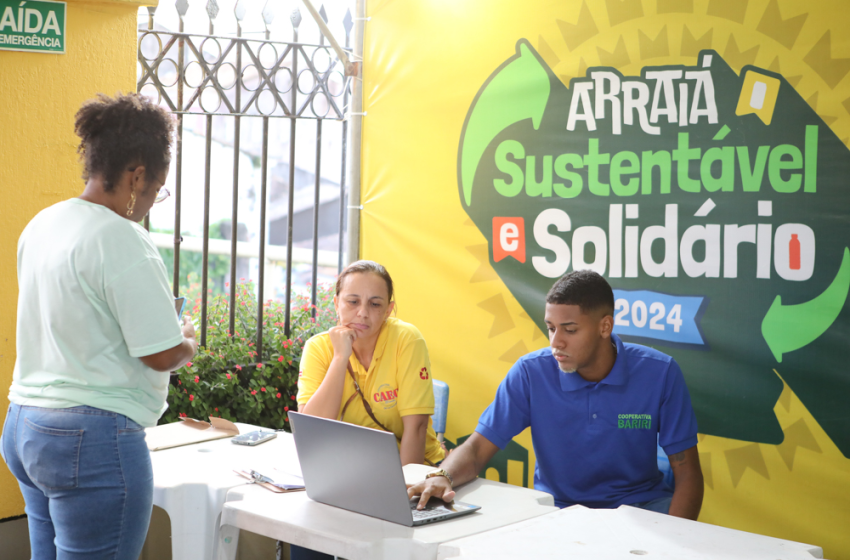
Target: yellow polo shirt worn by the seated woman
(397,384)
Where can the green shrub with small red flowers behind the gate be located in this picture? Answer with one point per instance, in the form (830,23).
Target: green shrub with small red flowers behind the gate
(227,378)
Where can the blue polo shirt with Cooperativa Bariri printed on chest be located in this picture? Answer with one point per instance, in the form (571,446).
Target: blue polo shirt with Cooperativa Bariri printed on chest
(596,442)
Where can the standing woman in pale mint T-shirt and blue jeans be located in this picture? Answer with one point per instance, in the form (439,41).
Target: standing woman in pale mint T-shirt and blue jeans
(97,334)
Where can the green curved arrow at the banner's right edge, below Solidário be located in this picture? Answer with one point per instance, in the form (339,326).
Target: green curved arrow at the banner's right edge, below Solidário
(786,328)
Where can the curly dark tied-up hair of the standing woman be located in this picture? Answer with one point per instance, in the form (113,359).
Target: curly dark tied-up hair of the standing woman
(122,131)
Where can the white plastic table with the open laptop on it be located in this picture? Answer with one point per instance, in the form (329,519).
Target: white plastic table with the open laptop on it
(296,519)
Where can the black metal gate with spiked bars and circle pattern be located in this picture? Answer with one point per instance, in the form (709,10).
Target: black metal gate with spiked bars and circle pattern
(224,80)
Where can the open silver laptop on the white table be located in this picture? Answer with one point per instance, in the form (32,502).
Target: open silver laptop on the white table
(359,469)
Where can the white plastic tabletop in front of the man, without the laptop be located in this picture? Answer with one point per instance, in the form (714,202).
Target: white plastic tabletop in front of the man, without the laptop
(625,533)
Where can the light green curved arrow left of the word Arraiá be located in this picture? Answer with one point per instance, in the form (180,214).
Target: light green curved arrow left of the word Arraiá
(516,91)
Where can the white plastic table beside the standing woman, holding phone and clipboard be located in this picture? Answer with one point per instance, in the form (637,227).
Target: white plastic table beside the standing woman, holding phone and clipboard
(191,484)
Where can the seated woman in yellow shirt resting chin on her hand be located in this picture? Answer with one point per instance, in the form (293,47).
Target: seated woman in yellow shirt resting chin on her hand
(372,369)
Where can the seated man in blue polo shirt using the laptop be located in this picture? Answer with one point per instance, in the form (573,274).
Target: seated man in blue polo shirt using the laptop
(596,407)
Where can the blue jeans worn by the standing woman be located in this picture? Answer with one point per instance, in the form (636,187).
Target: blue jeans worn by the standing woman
(86,478)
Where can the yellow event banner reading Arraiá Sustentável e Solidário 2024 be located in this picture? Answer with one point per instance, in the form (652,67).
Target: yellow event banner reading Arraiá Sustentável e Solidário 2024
(694,152)
